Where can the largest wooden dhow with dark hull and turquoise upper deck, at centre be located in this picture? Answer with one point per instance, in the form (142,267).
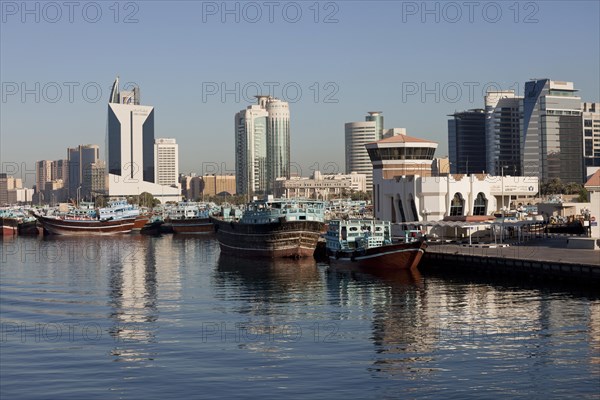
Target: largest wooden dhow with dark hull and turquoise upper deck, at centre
(272,228)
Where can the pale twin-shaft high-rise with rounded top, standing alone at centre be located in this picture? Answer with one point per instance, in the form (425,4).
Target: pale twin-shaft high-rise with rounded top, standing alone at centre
(262,145)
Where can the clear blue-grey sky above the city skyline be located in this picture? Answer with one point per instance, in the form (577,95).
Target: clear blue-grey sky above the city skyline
(200,62)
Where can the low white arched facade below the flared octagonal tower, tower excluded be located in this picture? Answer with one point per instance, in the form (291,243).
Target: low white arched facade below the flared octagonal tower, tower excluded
(419,198)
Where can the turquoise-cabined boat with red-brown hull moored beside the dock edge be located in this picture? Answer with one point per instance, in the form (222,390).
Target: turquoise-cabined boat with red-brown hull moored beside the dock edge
(368,244)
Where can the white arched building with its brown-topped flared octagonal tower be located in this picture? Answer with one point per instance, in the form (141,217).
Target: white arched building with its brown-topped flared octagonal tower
(406,189)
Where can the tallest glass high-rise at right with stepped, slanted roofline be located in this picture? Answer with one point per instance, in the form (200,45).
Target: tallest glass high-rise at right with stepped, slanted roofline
(551,145)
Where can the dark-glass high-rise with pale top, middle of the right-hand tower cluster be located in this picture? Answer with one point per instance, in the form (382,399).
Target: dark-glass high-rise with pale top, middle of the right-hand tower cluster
(503,119)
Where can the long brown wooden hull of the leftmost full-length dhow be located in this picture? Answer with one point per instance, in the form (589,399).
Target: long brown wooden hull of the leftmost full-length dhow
(66,226)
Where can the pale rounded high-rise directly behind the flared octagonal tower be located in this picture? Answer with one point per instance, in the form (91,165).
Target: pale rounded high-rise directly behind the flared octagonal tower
(358,134)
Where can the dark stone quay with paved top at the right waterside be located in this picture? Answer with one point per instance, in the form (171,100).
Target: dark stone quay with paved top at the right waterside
(542,259)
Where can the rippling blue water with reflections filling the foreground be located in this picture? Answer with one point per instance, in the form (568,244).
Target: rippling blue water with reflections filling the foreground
(168,317)
